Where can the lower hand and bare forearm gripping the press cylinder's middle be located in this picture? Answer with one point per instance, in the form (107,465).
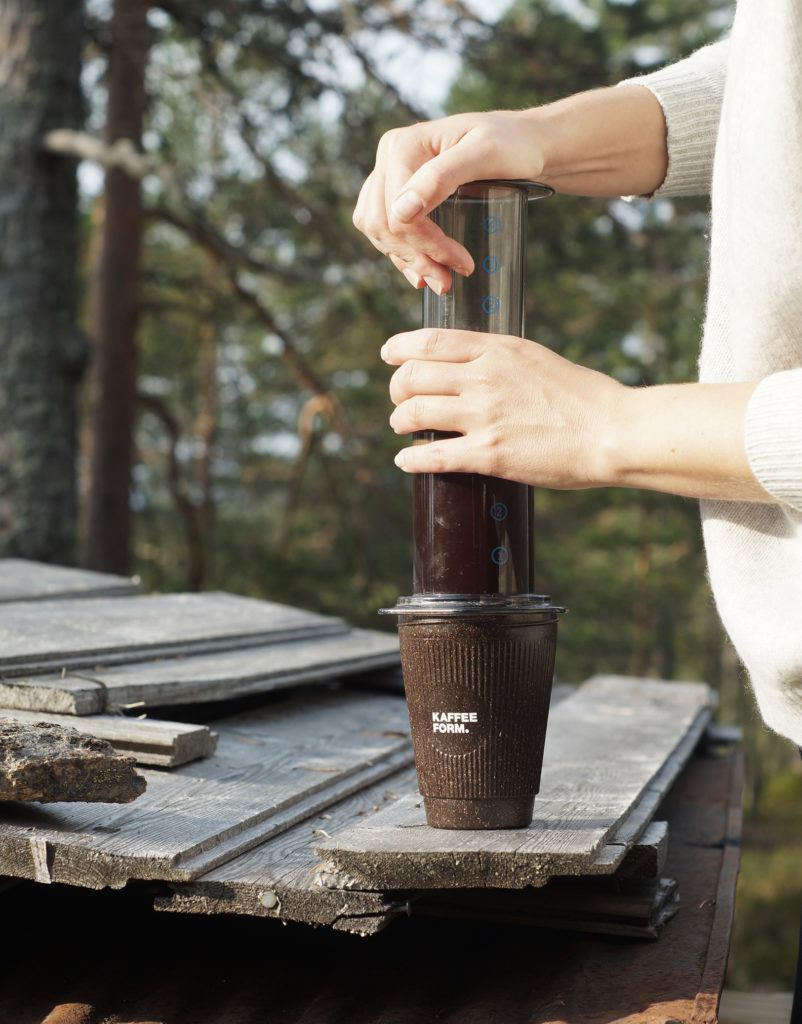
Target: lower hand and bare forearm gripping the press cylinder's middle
(526,414)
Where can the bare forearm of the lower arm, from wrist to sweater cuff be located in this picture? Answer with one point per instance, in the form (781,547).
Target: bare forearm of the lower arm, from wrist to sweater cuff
(681,439)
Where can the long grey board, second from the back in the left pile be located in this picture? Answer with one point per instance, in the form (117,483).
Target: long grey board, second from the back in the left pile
(44,636)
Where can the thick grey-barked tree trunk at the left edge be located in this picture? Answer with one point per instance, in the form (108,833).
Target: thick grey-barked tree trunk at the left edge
(41,351)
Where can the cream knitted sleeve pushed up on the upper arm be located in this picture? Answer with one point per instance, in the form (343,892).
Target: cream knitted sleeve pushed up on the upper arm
(690,93)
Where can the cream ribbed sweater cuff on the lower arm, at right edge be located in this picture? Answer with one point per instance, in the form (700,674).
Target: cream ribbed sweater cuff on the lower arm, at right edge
(774,436)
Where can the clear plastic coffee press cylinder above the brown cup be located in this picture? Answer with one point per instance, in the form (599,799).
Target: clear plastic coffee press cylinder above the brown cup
(475,535)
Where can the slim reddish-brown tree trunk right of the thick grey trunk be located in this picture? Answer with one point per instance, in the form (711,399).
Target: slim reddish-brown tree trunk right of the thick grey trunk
(115,306)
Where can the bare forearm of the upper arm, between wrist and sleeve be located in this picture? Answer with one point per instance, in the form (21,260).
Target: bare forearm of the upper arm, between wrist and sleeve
(604,143)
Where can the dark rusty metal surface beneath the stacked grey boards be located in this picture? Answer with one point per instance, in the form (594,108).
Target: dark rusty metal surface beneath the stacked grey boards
(111,957)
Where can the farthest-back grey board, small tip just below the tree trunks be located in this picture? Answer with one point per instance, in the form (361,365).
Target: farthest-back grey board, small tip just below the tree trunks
(26,581)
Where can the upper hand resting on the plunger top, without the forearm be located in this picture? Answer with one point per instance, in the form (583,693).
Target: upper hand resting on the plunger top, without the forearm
(418,167)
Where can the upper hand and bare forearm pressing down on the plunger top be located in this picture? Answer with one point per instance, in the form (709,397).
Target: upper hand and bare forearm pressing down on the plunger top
(604,143)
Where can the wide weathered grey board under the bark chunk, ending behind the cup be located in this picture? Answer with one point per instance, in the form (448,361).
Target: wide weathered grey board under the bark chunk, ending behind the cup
(273,767)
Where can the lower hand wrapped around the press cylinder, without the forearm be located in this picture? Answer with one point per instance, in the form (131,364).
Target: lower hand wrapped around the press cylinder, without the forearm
(523,412)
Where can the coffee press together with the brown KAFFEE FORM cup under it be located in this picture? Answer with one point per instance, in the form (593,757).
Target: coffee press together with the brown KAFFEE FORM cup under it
(478,647)
